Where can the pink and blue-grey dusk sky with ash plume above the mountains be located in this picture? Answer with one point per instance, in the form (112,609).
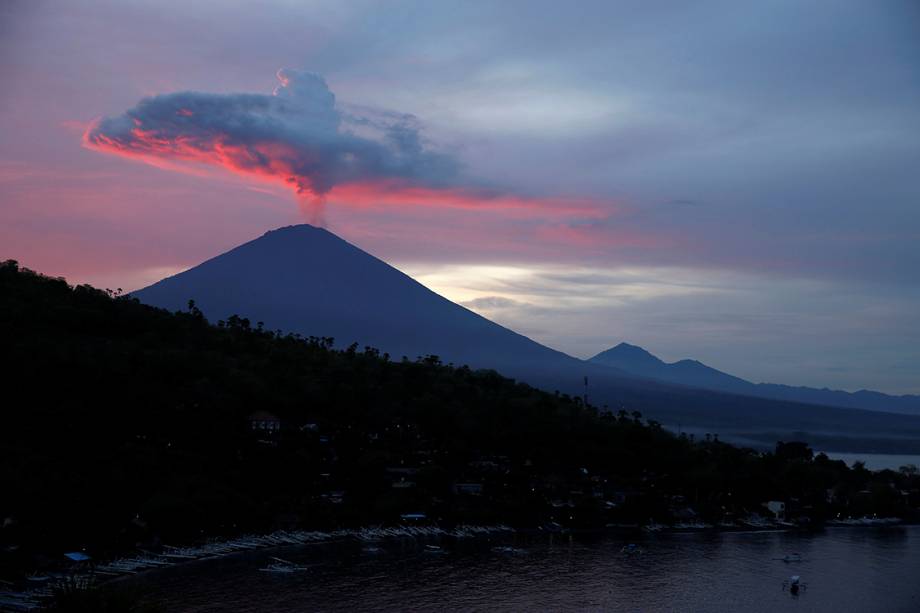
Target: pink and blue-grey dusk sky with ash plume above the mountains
(733,182)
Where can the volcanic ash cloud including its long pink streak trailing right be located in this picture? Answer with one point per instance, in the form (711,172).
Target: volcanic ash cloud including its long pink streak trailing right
(301,137)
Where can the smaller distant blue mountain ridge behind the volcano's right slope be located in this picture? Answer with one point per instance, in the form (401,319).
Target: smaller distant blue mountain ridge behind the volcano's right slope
(638,361)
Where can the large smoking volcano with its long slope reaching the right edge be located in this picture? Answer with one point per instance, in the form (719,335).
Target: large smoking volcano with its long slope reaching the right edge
(306,280)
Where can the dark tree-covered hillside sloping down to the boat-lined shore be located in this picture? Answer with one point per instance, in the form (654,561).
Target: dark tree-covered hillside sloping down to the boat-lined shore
(124,425)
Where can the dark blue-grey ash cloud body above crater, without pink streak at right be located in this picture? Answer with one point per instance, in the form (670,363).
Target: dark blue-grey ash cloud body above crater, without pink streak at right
(297,136)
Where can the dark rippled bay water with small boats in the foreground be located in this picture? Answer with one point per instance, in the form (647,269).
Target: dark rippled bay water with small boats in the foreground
(840,569)
